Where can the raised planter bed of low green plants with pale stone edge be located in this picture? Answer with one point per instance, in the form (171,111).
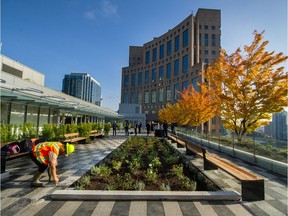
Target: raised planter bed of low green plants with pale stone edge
(144,166)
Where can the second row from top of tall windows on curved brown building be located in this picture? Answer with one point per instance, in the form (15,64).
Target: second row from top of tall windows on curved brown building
(160,75)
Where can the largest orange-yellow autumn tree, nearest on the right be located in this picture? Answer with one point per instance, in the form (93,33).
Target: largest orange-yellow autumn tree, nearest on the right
(249,87)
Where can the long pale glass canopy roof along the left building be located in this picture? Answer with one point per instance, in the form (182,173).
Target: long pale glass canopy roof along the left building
(17,90)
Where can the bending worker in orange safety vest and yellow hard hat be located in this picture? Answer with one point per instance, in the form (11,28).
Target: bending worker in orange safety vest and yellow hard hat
(45,154)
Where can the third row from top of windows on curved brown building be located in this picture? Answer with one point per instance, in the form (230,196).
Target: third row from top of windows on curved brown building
(153,94)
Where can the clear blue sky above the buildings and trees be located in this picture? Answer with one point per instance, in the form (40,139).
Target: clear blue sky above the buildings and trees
(58,37)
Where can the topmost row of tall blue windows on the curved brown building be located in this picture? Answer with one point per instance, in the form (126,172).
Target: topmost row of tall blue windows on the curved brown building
(160,55)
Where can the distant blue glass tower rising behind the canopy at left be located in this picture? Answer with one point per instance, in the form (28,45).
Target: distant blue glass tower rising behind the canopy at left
(82,86)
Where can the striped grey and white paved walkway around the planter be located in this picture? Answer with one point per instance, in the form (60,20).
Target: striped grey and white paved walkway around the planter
(18,198)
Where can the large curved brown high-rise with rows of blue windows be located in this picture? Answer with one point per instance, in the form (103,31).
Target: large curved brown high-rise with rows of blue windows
(168,64)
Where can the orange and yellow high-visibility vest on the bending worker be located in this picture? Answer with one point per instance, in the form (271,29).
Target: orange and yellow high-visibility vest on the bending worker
(41,151)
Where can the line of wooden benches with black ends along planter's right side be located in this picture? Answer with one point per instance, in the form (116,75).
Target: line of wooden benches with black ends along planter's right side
(252,186)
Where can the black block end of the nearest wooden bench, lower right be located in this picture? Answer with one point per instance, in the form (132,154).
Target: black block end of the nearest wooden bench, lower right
(253,190)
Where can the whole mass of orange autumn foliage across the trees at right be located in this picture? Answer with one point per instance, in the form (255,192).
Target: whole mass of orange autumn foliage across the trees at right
(245,88)
